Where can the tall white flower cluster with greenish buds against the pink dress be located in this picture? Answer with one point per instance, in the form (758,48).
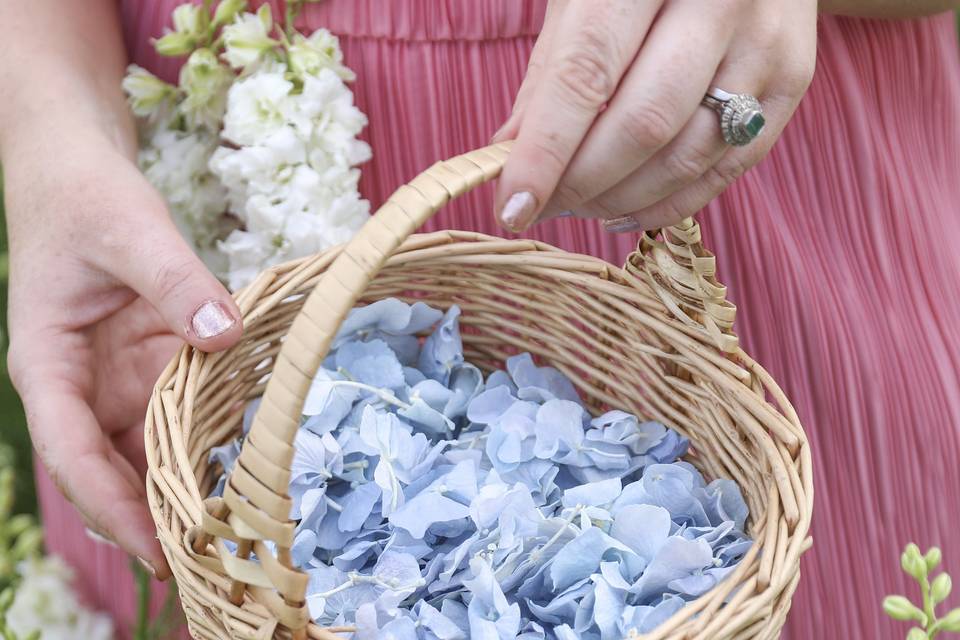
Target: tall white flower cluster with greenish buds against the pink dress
(255,150)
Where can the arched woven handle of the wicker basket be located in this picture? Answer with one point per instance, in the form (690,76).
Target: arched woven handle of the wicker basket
(255,506)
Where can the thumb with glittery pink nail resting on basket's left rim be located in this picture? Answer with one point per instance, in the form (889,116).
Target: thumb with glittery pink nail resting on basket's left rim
(164,269)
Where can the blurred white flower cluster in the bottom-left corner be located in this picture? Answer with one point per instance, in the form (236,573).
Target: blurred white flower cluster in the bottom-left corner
(46,602)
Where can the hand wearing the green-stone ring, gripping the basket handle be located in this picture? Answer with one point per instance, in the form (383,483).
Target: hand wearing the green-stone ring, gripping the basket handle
(608,121)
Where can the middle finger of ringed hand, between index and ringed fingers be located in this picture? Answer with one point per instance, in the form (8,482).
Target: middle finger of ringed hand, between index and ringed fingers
(658,97)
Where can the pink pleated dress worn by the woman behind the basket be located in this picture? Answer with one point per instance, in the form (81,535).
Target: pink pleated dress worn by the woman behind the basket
(841,250)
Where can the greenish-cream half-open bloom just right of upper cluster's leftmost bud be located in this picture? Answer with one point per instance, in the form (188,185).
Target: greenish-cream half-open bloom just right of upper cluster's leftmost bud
(205,82)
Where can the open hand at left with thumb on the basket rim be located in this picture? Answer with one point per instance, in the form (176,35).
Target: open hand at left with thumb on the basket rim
(102,291)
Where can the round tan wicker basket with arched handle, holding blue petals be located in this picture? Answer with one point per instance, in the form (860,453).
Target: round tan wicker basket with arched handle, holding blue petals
(654,338)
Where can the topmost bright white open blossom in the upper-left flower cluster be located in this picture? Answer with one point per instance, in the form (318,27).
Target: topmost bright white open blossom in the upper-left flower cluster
(257,107)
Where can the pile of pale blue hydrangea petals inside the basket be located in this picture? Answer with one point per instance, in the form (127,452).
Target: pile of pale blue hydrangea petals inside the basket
(436,505)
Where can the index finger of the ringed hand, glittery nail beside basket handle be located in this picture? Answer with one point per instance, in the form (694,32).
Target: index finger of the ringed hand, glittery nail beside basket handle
(595,42)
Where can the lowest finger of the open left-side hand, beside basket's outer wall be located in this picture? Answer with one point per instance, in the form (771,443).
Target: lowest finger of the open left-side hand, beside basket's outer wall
(90,473)
